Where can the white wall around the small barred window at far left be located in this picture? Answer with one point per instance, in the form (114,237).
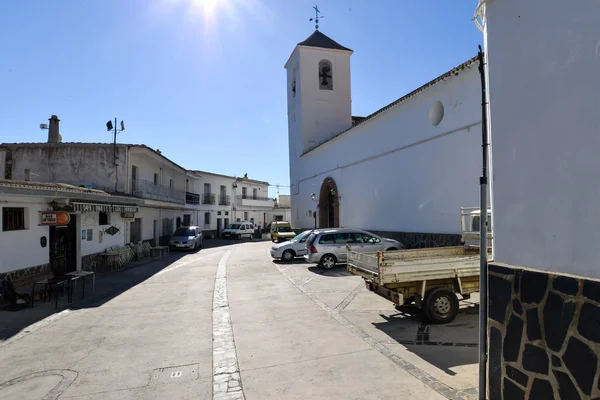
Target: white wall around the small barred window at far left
(22,249)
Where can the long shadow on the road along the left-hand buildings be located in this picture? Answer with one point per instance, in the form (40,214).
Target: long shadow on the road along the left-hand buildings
(109,284)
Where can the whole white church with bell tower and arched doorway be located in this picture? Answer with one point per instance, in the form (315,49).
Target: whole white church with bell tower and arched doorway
(403,171)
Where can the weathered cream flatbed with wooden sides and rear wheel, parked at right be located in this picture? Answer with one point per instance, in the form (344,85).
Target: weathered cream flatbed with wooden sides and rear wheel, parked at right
(430,278)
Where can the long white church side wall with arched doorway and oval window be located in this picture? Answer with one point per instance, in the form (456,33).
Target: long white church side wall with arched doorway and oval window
(397,171)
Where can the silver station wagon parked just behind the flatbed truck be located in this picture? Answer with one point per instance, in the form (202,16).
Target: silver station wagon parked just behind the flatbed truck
(327,247)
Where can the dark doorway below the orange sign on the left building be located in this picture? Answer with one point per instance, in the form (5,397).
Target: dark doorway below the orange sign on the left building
(63,247)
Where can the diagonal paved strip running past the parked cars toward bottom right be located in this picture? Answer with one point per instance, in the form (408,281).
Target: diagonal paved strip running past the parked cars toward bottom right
(434,383)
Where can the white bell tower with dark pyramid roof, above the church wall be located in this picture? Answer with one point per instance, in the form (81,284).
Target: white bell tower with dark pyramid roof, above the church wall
(318,93)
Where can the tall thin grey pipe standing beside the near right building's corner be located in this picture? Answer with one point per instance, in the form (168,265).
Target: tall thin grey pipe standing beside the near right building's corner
(483,266)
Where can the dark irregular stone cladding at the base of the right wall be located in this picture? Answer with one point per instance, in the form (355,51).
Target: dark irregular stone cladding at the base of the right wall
(544,335)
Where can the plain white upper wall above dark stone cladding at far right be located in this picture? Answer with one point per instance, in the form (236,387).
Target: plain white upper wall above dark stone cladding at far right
(544,64)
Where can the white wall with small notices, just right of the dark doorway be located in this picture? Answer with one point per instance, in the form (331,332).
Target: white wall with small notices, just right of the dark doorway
(100,242)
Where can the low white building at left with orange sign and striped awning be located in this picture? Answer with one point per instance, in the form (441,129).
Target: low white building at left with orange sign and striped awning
(32,240)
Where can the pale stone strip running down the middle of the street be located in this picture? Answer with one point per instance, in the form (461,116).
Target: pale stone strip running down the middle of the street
(227,384)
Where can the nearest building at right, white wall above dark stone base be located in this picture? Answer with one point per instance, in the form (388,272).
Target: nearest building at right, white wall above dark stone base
(544,282)
